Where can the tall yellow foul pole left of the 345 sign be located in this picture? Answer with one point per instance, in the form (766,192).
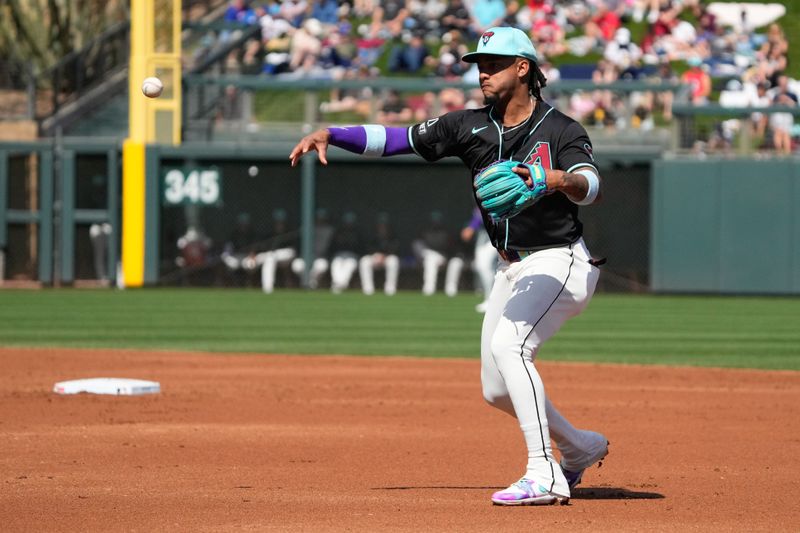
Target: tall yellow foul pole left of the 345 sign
(155,51)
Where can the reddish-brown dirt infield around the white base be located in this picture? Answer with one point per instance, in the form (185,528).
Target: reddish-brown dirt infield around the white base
(277,443)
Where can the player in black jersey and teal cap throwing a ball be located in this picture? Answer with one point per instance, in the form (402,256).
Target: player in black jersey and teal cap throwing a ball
(545,273)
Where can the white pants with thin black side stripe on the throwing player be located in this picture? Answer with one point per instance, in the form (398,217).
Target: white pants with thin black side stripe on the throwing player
(529,302)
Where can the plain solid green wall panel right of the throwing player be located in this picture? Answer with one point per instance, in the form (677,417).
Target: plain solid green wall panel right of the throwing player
(726,226)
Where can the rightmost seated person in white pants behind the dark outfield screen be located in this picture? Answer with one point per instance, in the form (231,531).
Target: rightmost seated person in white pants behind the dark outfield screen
(435,248)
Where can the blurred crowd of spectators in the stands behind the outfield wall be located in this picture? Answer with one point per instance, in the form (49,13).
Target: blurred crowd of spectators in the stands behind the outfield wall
(725,61)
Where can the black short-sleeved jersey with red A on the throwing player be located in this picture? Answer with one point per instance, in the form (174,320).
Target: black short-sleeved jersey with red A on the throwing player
(547,137)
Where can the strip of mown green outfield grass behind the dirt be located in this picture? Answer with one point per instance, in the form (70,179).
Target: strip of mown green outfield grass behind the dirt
(672,330)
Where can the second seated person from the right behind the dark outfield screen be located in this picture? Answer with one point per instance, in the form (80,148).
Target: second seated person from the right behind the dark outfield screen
(383,252)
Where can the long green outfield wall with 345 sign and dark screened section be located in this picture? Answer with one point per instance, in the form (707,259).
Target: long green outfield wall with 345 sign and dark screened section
(670,225)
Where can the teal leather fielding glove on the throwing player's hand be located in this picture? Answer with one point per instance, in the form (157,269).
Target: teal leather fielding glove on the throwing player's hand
(503,194)
